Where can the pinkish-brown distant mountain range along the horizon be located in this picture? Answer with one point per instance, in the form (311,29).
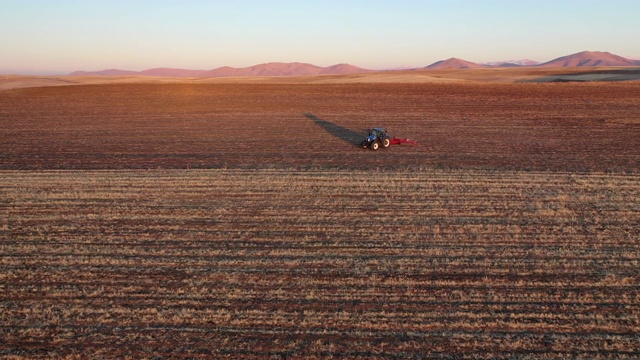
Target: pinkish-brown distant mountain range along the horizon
(585,58)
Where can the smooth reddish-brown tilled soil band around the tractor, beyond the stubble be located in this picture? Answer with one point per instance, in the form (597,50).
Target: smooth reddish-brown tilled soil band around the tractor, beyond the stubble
(577,127)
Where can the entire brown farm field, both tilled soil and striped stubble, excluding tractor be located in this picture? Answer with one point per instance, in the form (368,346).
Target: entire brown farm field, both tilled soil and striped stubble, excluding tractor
(243,221)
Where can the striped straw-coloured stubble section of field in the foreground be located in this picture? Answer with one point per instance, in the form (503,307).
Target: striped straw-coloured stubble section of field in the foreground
(258,263)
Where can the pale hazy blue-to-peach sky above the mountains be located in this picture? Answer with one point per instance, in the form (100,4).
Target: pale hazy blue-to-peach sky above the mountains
(60,36)
